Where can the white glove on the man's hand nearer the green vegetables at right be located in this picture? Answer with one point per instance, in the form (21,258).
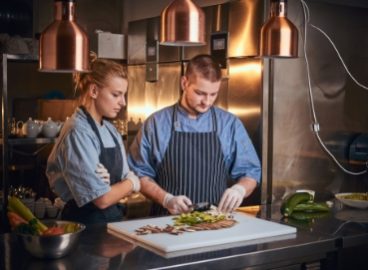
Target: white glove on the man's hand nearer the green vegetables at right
(232,198)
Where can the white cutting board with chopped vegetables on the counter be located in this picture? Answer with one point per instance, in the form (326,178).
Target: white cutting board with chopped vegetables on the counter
(247,228)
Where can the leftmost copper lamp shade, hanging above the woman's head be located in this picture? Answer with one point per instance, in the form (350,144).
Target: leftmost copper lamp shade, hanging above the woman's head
(63,44)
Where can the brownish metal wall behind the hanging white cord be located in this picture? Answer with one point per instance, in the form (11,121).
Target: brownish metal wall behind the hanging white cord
(298,159)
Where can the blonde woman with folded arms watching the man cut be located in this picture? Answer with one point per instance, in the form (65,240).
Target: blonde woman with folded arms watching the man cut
(88,165)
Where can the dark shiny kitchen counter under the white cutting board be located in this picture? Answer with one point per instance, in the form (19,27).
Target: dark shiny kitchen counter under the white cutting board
(317,245)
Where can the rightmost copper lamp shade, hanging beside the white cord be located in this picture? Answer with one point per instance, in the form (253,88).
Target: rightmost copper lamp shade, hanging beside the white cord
(279,36)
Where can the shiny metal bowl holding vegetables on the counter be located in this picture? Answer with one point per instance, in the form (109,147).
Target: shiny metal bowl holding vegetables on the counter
(51,246)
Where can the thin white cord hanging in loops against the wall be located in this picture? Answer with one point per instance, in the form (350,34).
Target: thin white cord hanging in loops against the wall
(315,124)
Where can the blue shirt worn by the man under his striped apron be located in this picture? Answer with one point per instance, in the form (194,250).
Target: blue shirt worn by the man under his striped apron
(149,146)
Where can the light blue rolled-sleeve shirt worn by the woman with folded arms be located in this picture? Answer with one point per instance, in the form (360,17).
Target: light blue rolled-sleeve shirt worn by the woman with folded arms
(73,161)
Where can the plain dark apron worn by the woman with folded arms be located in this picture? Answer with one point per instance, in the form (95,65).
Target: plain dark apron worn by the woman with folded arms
(112,159)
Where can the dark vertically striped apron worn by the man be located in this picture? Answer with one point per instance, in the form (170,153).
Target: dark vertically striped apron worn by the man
(193,165)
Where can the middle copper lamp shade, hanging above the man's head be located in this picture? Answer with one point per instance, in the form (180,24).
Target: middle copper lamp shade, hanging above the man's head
(182,24)
